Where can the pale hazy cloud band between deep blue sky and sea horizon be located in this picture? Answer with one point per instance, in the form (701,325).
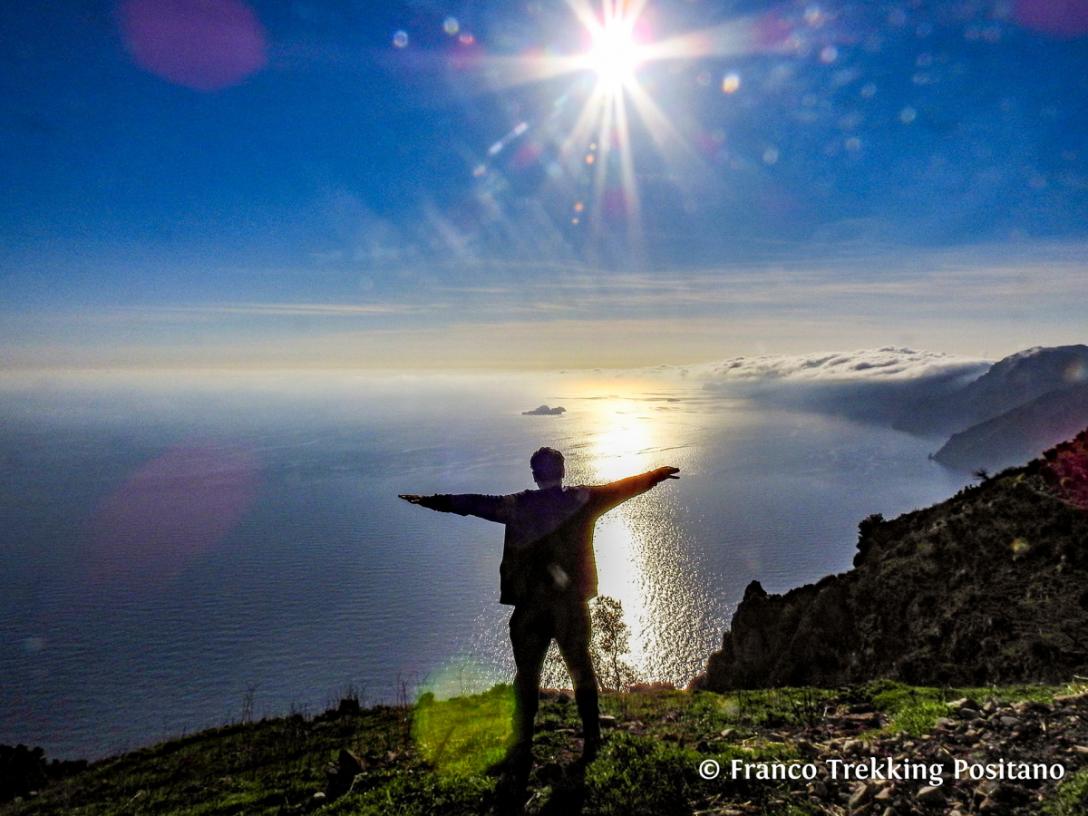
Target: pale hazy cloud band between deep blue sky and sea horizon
(979,301)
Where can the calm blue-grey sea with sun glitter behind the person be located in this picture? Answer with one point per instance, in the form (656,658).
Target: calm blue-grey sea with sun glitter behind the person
(175,546)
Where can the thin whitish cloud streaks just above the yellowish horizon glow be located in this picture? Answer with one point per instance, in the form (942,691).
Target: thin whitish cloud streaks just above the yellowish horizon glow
(588,298)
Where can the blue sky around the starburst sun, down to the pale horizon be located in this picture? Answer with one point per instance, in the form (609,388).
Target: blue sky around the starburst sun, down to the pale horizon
(368,184)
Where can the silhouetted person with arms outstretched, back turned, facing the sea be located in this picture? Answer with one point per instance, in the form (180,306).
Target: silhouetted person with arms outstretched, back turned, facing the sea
(549,574)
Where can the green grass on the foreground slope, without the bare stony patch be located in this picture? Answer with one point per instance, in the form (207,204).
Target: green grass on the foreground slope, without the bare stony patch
(430,759)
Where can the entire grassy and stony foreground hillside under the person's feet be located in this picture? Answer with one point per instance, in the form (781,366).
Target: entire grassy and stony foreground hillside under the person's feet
(430,758)
